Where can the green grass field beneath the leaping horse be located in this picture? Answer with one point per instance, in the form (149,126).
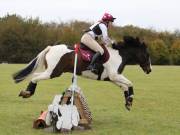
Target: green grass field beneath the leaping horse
(156,108)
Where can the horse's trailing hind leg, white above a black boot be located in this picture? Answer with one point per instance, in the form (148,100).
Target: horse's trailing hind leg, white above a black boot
(33,83)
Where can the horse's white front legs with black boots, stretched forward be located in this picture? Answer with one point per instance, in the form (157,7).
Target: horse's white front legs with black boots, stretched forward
(126,86)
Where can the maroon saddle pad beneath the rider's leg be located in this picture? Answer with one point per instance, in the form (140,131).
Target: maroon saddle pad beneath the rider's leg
(86,53)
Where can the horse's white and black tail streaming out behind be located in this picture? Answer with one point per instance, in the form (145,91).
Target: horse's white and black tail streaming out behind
(35,64)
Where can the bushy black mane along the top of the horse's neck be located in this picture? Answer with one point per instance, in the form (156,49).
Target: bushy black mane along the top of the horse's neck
(128,41)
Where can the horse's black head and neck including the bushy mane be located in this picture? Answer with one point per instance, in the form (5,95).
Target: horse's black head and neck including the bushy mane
(135,51)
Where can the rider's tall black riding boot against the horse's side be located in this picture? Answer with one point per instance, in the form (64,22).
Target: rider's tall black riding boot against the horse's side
(93,61)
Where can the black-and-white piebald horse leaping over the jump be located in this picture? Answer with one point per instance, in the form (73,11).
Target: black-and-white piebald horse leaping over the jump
(58,59)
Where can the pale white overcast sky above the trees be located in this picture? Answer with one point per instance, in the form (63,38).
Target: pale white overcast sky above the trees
(161,15)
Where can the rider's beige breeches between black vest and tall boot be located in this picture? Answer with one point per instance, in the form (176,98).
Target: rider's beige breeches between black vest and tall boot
(91,43)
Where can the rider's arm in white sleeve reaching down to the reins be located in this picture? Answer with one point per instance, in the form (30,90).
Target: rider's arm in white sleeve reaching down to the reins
(105,37)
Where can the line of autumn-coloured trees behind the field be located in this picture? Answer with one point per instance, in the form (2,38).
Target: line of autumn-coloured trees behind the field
(21,39)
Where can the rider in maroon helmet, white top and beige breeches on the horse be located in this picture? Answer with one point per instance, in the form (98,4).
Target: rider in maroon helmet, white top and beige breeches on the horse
(98,31)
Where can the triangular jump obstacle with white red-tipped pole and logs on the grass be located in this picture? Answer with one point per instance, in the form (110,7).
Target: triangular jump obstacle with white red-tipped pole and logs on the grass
(72,97)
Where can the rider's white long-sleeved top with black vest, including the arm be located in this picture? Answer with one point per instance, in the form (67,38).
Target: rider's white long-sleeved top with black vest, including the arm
(99,30)
